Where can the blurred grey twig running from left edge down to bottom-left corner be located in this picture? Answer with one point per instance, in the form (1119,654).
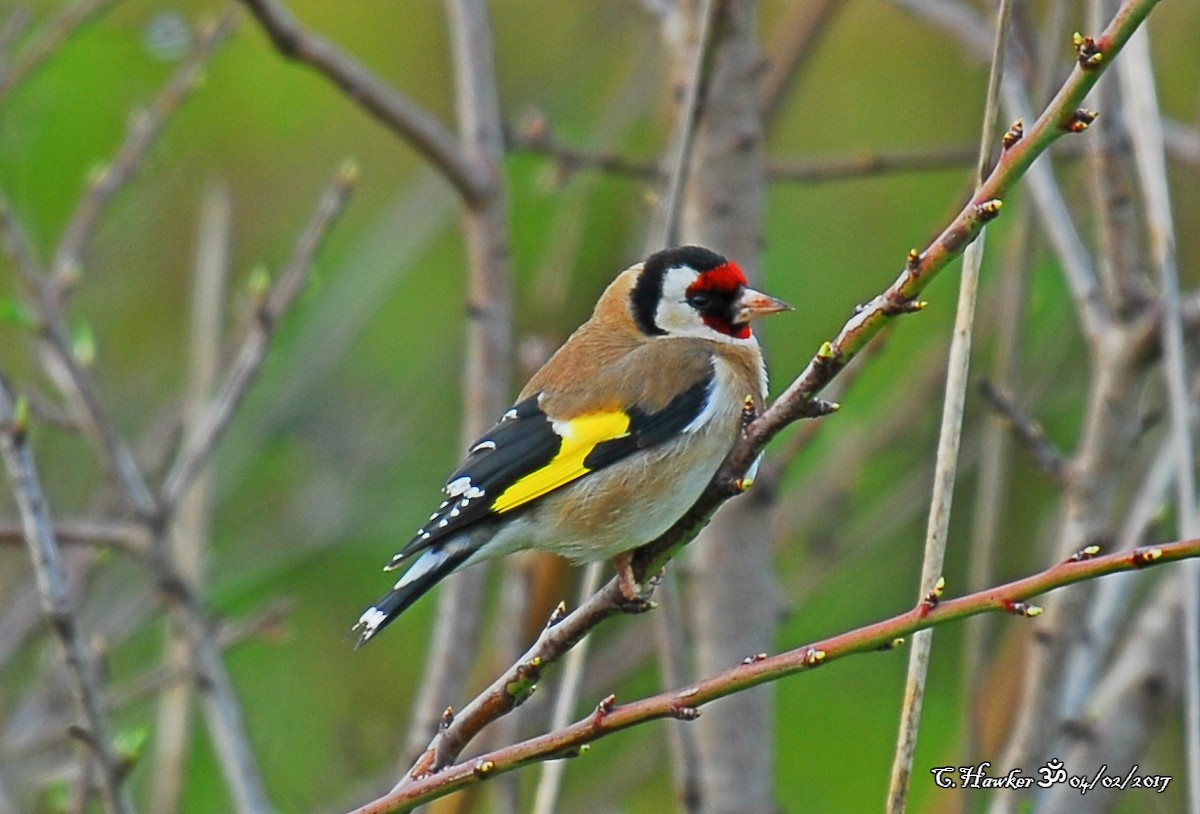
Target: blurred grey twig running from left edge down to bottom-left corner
(82,674)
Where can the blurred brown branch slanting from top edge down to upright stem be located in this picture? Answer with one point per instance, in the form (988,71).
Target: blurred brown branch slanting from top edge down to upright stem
(421,130)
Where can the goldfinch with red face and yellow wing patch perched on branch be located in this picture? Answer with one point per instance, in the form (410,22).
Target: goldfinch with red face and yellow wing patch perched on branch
(613,440)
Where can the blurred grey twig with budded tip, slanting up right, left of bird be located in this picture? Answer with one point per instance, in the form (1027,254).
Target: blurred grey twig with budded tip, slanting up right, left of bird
(245,368)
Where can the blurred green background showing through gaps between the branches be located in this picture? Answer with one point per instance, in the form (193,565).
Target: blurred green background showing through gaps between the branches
(343,445)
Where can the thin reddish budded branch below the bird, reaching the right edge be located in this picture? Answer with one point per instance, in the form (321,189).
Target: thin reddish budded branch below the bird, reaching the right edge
(685,703)
